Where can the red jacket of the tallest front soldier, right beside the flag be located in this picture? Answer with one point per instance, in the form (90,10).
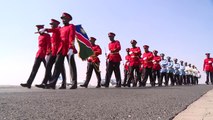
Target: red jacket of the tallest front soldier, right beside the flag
(67,34)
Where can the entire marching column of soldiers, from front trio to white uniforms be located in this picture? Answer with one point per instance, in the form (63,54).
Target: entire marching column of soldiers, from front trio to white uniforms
(138,67)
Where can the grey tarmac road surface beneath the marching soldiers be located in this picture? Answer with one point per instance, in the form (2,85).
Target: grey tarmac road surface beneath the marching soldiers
(147,103)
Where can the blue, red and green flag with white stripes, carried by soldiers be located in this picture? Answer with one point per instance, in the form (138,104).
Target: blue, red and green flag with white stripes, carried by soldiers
(84,44)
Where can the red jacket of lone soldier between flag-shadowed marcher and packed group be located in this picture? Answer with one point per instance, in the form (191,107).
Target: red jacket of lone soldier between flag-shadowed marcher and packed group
(114,48)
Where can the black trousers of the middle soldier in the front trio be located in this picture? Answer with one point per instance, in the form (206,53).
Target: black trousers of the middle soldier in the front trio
(50,61)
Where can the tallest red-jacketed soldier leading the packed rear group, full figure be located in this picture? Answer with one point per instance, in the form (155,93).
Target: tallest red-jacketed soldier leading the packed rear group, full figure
(134,64)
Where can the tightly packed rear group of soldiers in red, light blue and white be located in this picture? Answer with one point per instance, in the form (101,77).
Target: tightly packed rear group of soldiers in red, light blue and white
(151,65)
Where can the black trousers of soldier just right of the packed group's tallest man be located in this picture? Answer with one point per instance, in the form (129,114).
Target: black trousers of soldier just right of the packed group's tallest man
(148,73)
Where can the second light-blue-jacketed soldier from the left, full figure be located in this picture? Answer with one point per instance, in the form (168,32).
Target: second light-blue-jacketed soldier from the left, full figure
(170,70)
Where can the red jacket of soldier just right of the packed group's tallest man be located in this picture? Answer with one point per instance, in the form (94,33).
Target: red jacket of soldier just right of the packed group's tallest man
(147,60)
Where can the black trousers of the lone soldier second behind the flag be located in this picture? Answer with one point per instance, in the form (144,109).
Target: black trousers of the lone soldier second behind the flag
(113,66)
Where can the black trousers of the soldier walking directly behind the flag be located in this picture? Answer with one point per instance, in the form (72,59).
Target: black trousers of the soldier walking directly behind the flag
(90,67)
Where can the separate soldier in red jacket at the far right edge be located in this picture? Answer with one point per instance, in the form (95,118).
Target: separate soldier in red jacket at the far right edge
(207,67)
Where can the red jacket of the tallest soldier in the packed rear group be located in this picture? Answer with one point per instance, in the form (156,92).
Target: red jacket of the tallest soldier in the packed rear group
(135,54)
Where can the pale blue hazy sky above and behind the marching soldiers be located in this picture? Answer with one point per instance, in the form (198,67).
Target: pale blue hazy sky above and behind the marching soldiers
(179,28)
